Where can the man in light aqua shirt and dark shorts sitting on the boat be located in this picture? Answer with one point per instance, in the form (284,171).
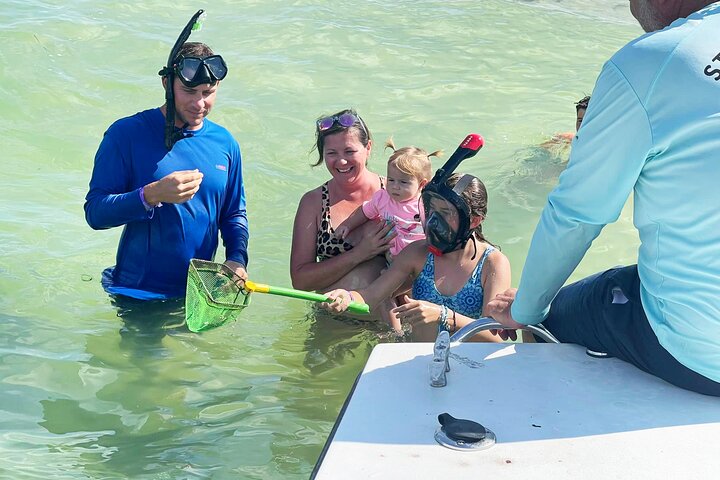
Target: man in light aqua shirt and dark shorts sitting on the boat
(652,128)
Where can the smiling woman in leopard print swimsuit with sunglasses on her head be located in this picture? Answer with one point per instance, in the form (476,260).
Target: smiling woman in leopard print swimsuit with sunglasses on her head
(318,260)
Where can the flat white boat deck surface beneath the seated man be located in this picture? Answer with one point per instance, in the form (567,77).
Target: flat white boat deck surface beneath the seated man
(557,414)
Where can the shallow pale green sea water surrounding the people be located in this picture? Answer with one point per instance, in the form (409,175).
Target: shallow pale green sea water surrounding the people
(87,394)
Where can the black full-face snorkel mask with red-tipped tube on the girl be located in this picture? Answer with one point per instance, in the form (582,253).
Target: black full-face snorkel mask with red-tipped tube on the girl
(444,206)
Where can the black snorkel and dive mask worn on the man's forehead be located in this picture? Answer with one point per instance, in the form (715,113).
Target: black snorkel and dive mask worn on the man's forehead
(192,71)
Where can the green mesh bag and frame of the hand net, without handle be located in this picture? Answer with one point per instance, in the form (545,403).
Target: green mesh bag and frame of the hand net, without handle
(214,295)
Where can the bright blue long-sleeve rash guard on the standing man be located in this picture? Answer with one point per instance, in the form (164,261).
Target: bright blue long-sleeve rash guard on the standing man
(156,246)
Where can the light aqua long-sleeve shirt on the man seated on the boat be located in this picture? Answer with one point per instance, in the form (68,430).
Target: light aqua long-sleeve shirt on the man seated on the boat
(652,128)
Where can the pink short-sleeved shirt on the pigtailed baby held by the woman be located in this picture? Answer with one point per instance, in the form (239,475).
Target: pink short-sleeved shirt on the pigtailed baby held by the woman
(402,214)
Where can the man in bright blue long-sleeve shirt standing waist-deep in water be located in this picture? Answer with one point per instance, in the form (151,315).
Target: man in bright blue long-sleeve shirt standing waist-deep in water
(172,203)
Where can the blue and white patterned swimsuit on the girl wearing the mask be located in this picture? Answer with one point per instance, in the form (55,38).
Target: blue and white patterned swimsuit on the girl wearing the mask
(468,301)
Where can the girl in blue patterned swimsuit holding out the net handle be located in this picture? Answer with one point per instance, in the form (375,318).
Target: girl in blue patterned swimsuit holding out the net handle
(453,280)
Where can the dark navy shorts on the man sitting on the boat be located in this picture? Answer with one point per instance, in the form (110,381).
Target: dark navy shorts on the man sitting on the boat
(604,313)
